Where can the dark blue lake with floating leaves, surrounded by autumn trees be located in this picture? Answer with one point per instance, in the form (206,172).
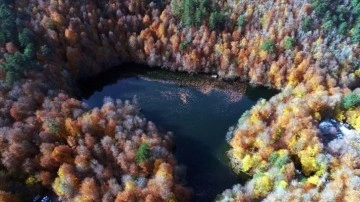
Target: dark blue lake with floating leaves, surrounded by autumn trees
(197,108)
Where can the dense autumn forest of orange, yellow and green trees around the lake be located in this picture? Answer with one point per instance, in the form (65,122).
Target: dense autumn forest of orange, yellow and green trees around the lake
(51,142)
